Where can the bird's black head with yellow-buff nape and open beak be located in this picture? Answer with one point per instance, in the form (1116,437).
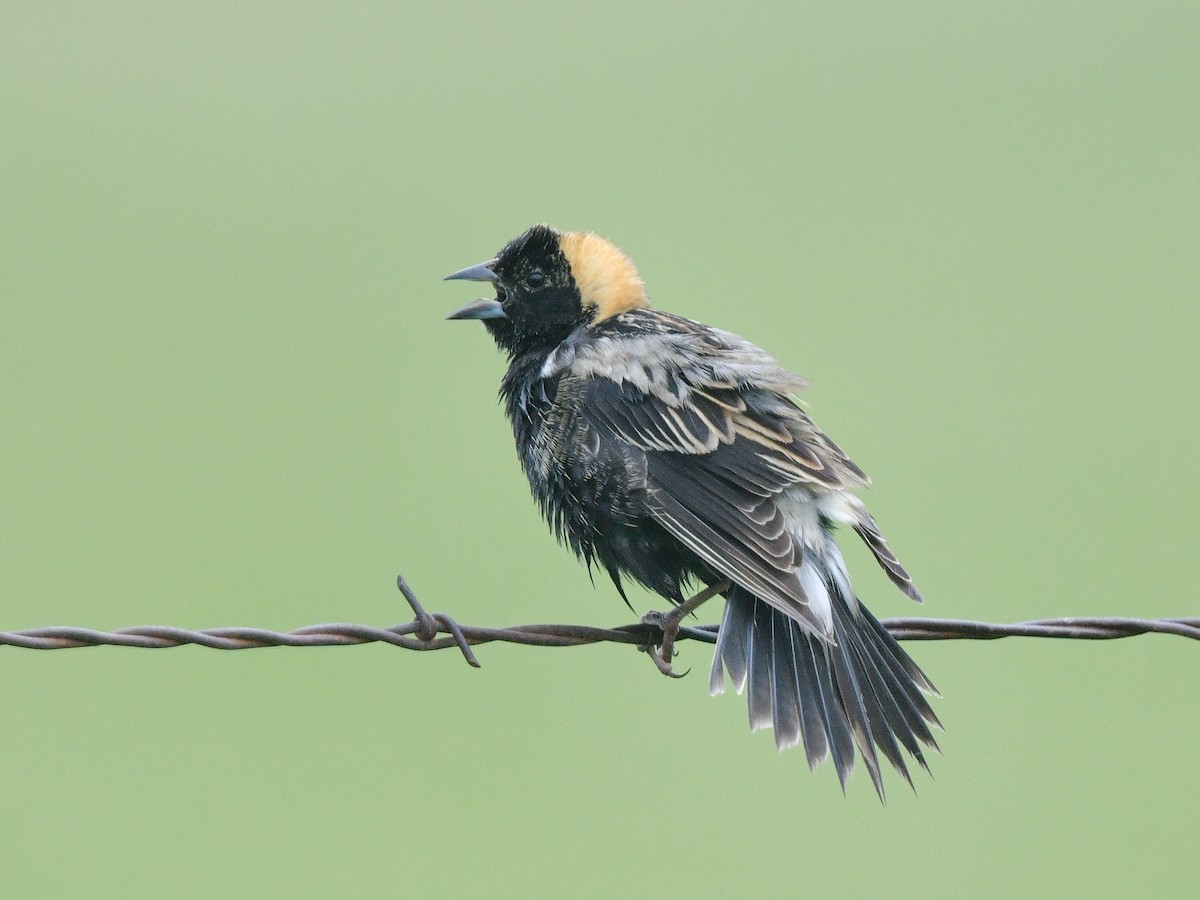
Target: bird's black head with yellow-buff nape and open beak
(549,284)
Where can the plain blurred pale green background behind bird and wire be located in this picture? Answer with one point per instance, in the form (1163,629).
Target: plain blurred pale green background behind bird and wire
(227,398)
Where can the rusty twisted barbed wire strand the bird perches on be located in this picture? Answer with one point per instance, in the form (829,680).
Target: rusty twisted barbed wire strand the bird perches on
(439,632)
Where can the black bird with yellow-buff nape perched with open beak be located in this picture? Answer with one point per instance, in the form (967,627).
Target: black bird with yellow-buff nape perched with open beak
(674,454)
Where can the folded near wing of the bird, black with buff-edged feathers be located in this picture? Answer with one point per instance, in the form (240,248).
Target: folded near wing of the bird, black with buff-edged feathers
(728,453)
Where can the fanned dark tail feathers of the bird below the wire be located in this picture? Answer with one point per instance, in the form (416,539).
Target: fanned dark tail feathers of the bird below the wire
(862,692)
